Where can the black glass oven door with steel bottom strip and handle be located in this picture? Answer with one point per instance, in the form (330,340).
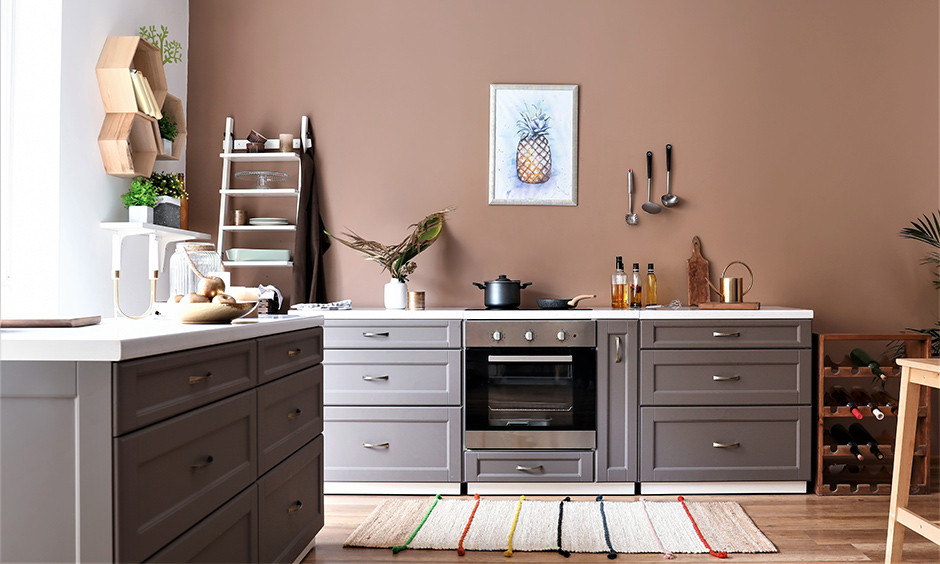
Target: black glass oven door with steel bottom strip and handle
(531,397)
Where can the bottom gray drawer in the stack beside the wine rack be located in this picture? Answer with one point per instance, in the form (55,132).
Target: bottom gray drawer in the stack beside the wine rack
(687,444)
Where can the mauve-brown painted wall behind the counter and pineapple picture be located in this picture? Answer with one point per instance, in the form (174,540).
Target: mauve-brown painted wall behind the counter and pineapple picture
(805,137)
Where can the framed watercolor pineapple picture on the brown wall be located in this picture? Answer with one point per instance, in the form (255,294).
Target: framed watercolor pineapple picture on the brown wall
(533,145)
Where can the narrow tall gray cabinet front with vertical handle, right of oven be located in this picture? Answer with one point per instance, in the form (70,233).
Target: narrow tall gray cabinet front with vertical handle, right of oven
(617,413)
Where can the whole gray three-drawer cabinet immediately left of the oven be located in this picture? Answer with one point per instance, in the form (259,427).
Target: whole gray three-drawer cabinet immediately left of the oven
(393,400)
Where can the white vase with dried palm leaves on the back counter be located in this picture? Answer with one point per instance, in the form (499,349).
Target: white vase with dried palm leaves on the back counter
(398,260)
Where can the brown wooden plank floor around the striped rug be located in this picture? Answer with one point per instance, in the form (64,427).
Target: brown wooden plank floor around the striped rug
(805,528)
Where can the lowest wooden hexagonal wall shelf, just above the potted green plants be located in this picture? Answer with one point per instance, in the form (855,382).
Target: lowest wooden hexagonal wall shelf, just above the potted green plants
(128,144)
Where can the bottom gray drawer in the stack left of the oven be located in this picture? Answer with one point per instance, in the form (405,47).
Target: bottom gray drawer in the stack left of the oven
(408,444)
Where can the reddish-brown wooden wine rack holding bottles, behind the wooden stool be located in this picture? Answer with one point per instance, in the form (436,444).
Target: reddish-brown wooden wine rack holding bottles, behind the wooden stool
(838,470)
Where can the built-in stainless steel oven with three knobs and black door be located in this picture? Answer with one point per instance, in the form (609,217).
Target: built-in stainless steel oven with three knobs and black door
(530,384)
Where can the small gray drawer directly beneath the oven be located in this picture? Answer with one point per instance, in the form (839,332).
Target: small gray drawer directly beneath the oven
(529,466)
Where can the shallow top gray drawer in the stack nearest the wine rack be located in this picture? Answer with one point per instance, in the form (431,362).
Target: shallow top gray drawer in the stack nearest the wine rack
(726,334)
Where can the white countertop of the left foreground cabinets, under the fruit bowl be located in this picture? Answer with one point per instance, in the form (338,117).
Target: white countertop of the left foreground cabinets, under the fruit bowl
(123,339)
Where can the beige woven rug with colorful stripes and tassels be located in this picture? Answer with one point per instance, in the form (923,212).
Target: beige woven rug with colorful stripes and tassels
(565,526)
